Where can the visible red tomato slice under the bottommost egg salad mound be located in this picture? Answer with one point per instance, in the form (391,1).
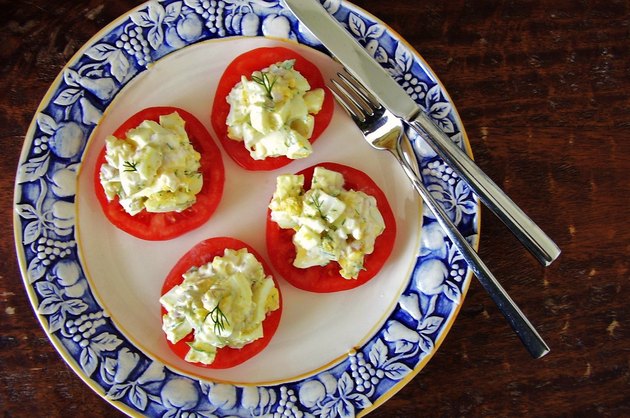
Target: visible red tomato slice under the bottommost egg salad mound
(199,255)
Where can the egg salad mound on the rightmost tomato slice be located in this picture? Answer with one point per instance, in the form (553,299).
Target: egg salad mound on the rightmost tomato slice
(330,223)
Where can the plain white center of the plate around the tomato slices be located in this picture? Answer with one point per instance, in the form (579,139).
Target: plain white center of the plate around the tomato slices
(126,274)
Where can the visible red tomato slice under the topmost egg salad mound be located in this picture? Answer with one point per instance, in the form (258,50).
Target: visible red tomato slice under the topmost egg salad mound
(245,65)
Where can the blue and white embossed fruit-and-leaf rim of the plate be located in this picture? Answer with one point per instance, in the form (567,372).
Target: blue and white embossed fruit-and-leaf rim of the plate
(54,277)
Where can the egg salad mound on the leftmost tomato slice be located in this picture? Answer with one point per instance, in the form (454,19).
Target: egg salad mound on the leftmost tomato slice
(155,168)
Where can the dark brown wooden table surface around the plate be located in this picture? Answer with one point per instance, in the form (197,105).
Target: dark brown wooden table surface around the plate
(543,90)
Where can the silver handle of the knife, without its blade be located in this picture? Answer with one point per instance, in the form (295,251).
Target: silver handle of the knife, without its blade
(532,237)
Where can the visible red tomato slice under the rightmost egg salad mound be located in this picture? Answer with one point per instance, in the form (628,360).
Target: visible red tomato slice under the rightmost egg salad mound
(327,279)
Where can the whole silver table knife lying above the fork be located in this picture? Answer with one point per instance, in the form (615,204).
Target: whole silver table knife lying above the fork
(362,66)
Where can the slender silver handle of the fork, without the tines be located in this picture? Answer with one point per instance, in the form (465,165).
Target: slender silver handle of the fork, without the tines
(517,320)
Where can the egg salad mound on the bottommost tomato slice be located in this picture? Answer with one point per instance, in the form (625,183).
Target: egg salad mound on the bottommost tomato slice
(223,303)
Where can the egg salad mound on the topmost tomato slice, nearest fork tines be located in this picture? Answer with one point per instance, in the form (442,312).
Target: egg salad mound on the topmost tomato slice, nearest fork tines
(272,113)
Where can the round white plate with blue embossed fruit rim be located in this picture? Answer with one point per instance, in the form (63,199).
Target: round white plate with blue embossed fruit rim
(95,289)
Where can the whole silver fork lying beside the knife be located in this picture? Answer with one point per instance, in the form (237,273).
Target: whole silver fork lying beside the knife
(384,131)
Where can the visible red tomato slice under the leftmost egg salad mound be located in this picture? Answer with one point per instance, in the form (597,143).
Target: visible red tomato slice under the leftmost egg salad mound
(164,226)
